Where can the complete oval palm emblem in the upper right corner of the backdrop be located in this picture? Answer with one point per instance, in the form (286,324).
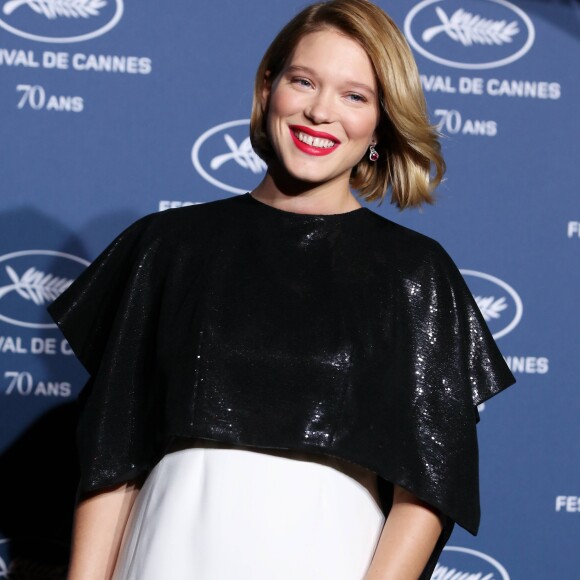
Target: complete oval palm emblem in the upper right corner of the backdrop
(469,34)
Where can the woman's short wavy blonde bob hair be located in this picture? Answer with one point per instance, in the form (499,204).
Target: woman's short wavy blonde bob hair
(408,145)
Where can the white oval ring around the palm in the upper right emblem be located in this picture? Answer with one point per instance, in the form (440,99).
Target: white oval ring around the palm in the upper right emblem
(471,66)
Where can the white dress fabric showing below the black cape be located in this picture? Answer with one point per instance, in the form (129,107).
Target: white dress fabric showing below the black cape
(234,513)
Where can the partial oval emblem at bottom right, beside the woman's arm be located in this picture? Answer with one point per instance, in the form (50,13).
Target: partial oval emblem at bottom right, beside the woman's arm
(456,562)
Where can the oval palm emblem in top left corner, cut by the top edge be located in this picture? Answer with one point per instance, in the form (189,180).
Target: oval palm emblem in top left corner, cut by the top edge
(60,21)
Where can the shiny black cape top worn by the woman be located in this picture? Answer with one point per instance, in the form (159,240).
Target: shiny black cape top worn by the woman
(346,334)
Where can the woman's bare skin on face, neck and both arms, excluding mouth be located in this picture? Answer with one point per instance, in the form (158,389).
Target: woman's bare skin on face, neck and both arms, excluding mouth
(328,85)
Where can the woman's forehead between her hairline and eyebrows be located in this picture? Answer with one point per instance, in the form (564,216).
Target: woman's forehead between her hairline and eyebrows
(332,52)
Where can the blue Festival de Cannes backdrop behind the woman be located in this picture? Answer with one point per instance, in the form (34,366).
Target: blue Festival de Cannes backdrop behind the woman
(111,110)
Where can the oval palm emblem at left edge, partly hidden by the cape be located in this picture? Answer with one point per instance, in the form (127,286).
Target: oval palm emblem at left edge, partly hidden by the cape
(30,280)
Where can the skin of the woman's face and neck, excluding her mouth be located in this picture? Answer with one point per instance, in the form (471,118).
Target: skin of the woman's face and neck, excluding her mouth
(328,85)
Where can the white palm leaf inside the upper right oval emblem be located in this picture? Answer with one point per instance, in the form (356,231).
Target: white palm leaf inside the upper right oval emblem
(472,29)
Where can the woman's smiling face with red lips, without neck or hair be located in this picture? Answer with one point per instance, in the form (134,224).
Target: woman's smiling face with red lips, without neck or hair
(323,108)
